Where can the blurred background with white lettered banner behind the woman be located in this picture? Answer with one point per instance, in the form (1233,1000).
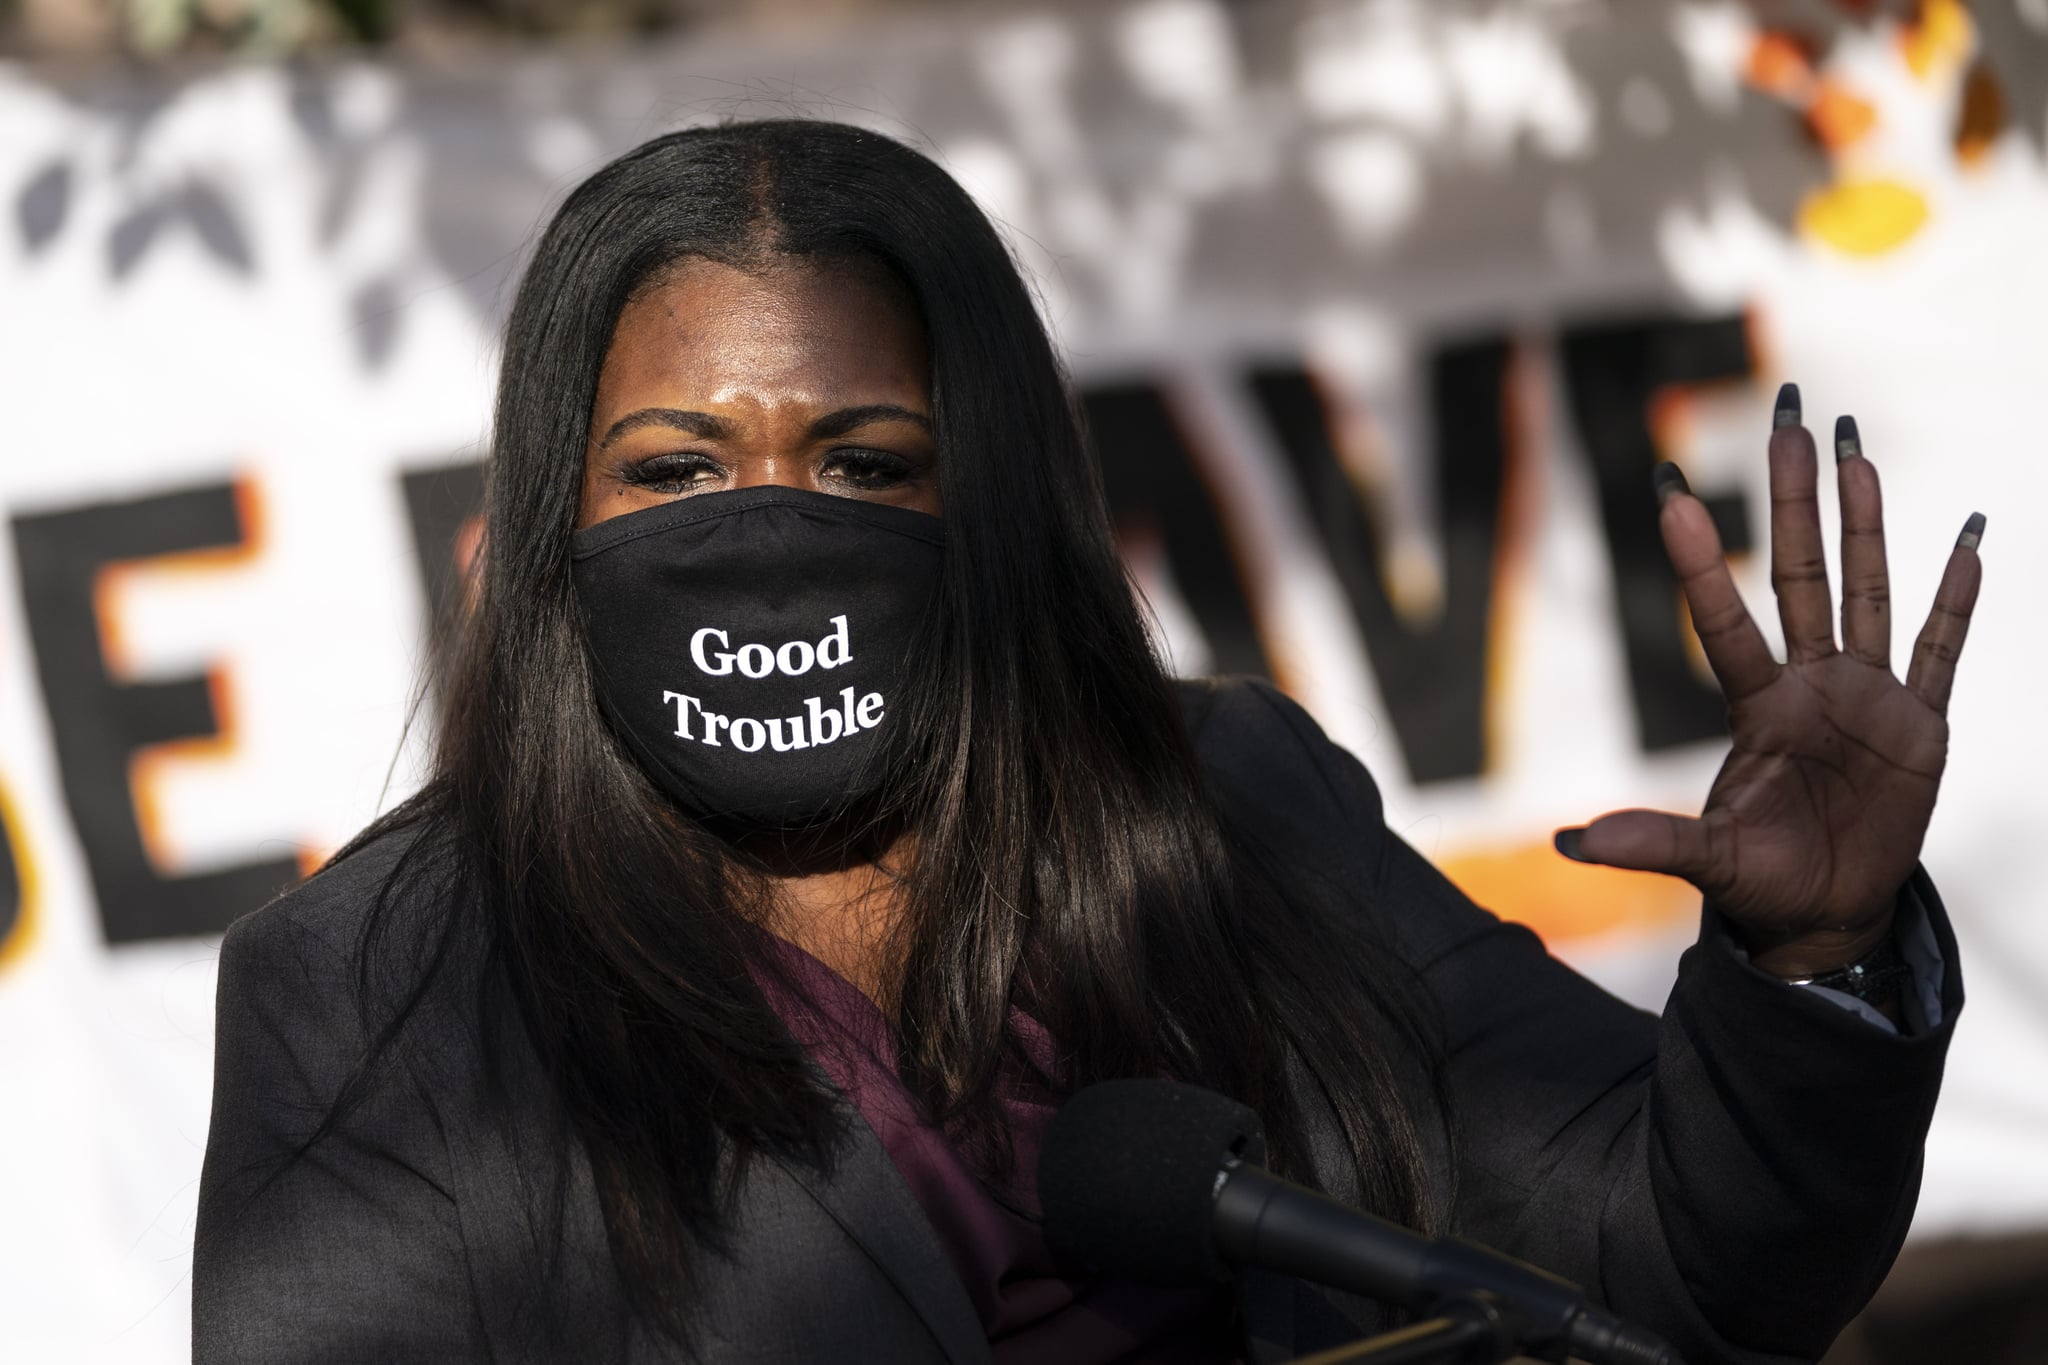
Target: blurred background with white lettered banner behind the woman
(1381,314)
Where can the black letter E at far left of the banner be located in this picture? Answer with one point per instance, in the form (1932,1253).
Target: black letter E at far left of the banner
(99,723)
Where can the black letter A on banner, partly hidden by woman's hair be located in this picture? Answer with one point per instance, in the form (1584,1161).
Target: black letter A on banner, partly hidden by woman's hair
(1154,486)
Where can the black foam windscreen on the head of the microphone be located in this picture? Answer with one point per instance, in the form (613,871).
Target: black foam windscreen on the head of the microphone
(1129,1174)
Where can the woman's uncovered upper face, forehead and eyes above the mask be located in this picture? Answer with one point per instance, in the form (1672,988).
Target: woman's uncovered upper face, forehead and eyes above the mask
(810,378)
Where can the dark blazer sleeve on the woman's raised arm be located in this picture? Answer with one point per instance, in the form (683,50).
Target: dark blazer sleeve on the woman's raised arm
(1736,1176)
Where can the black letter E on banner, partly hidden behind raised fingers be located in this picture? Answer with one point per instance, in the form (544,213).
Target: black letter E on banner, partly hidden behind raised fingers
(1613,373)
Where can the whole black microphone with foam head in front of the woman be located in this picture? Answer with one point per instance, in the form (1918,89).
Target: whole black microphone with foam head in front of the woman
(1162,1184)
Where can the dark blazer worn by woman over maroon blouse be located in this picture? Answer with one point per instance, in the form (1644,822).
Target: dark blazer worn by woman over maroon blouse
(1738,1174)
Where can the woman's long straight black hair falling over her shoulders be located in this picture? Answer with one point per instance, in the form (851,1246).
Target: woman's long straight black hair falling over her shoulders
(1068,856)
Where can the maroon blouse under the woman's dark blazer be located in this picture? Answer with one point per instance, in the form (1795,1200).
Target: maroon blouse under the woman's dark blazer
(992,1231)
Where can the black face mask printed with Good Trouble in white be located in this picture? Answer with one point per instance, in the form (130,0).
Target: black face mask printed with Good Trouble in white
(753,646)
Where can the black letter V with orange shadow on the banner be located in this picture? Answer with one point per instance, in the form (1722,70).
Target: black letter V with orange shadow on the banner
(1433,680)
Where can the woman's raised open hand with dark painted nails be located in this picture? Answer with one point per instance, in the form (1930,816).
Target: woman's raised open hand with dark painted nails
(1818,816)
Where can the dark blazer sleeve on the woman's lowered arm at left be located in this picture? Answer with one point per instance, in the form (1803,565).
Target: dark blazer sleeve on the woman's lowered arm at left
(331,1253)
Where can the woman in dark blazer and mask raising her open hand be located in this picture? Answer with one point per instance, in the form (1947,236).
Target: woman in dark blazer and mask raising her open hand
(810,816)
